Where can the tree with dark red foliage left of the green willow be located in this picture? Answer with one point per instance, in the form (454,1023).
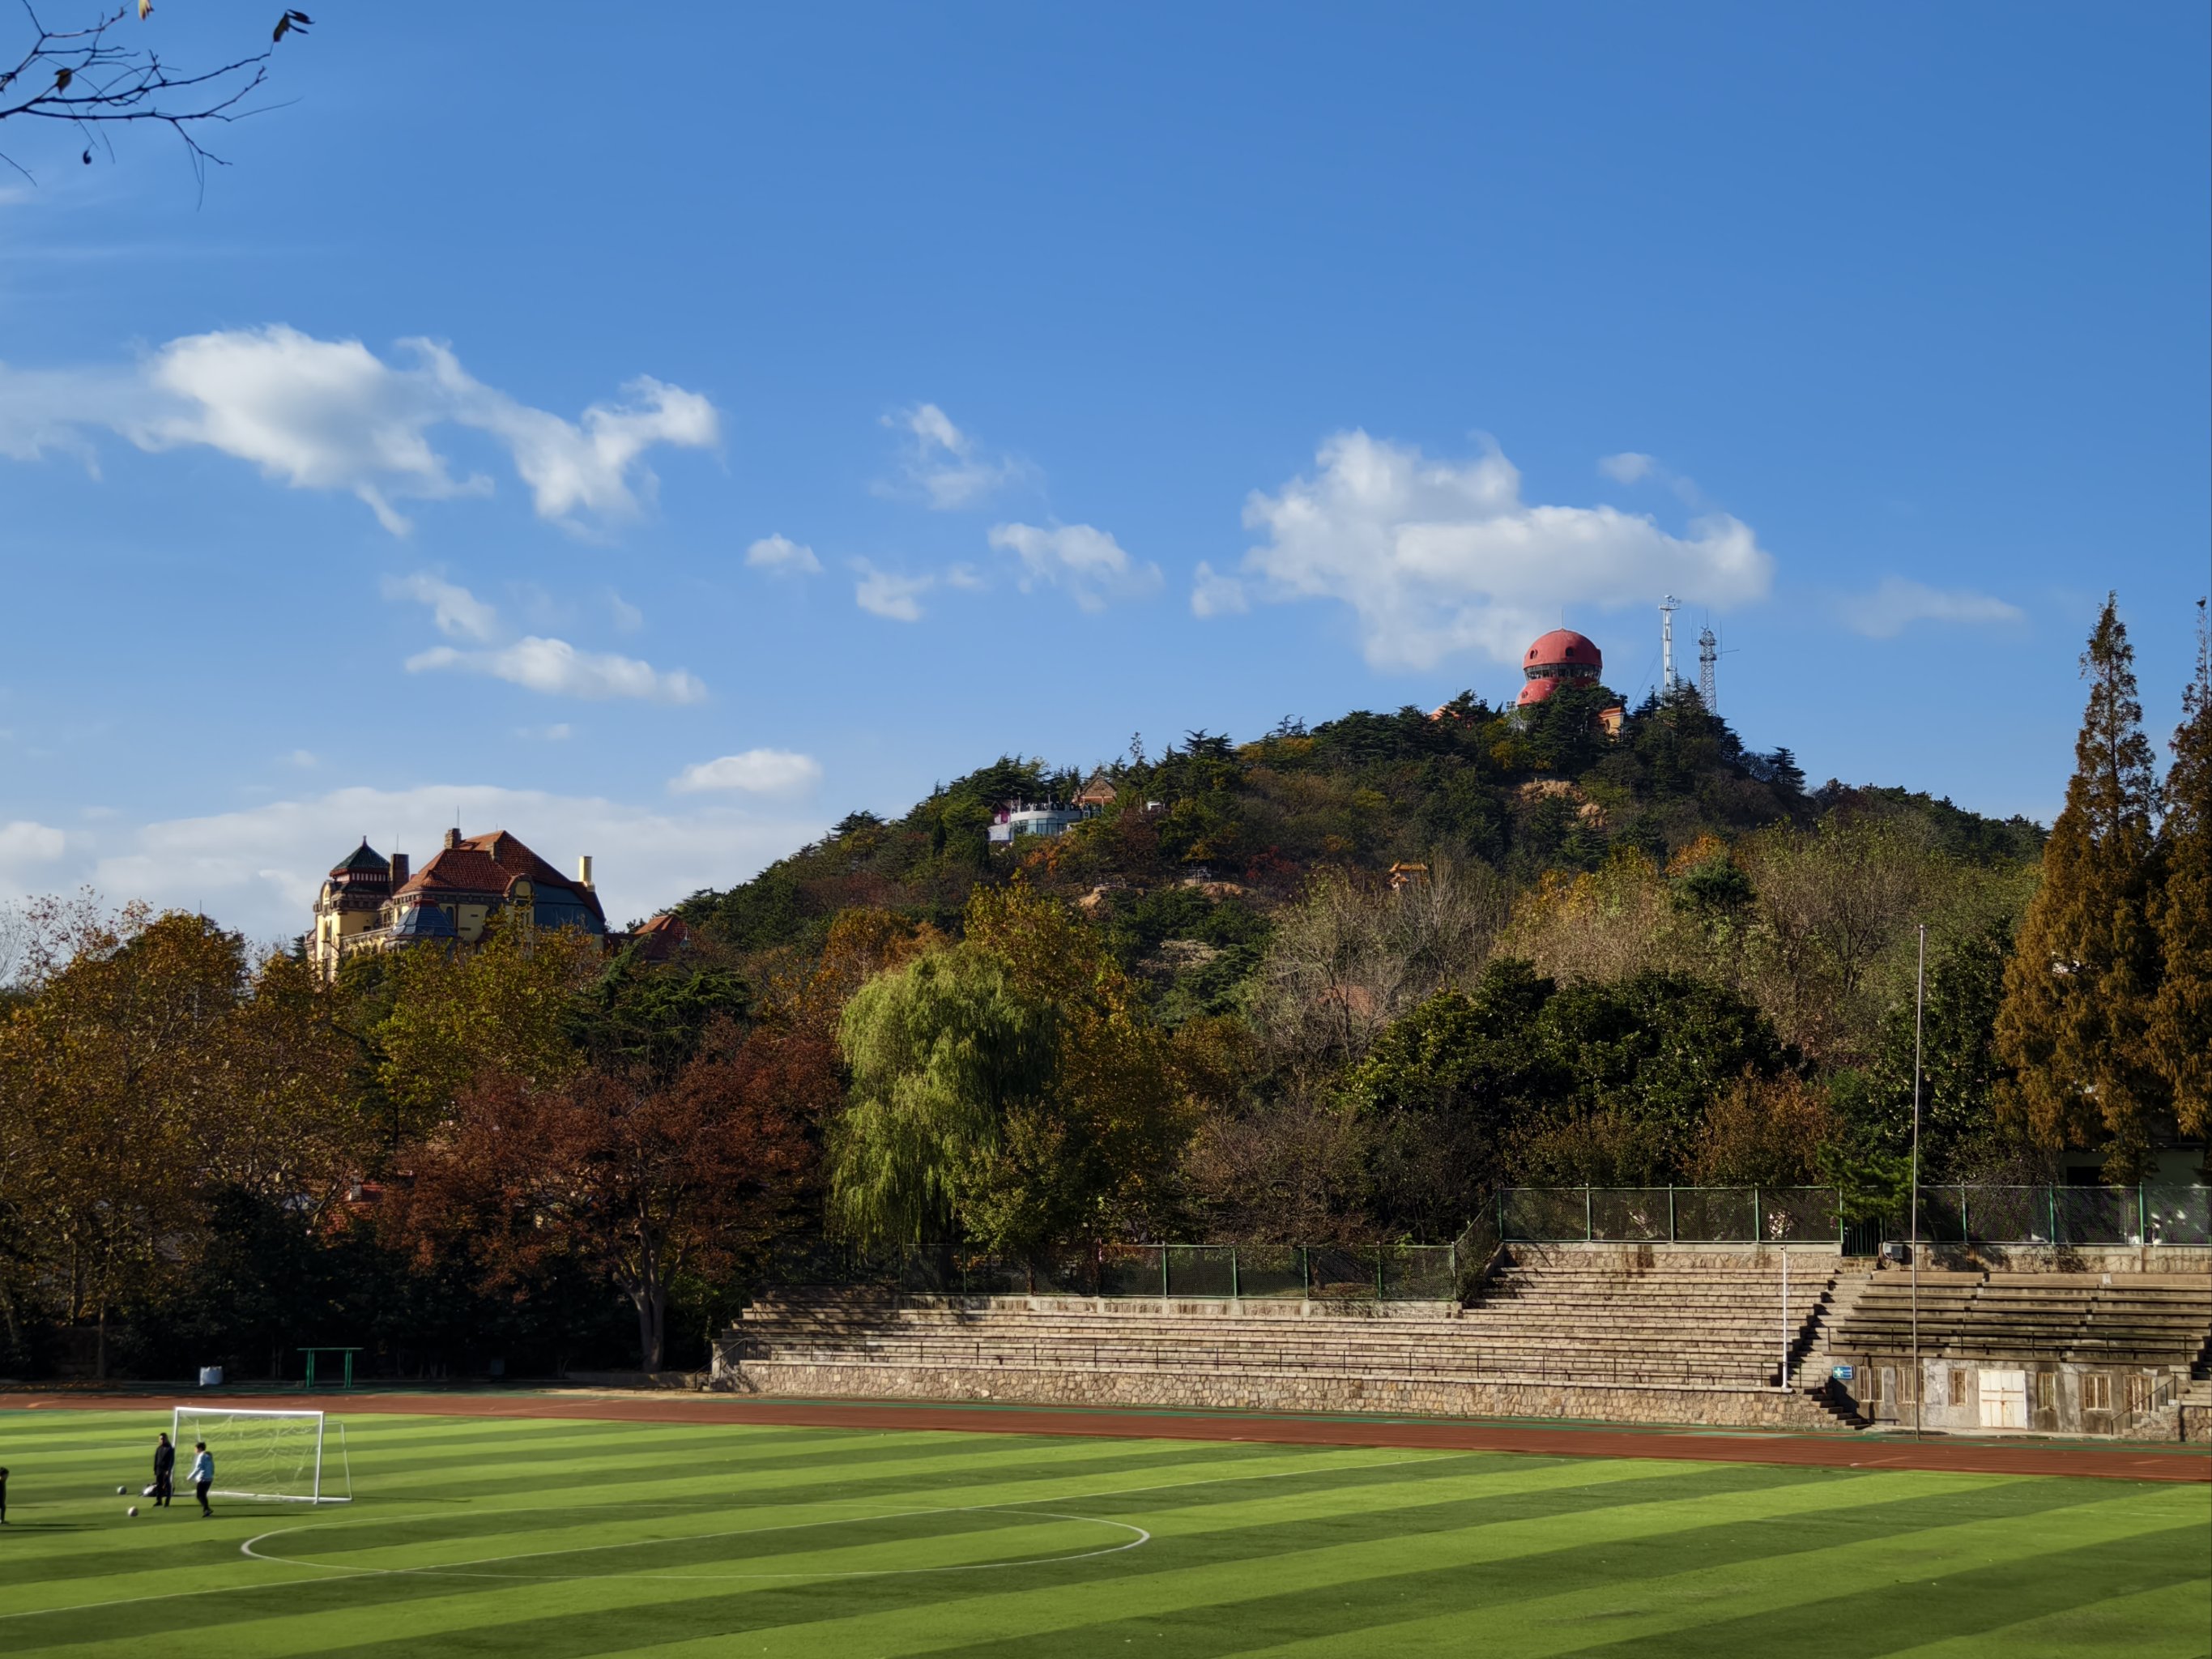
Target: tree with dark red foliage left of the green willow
(629,1173)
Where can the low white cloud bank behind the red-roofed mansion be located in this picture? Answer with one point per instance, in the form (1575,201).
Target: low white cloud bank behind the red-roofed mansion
(260,868)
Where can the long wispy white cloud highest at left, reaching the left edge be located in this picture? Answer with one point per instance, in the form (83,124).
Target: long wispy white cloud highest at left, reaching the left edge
(333,415)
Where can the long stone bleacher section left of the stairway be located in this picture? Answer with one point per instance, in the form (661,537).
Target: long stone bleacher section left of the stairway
(1605,1339)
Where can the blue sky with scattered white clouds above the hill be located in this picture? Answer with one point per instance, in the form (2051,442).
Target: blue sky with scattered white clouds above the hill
(1100,373)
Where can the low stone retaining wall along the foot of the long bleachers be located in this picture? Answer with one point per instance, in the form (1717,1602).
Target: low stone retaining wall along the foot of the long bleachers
(1222,1390)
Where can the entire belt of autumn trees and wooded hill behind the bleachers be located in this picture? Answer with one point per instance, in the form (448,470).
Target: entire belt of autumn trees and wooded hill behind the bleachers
(1328,985)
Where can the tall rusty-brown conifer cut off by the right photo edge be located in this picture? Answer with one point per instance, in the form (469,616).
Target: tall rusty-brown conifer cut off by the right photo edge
(2182,1016)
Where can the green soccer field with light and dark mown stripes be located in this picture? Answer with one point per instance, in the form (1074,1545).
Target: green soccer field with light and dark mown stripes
(587,1538)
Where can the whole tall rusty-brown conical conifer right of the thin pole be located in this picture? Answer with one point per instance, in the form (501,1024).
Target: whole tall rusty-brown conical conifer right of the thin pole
(2078,992)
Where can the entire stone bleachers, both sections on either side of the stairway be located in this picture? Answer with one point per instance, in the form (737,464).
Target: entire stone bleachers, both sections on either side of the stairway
(1558,1331)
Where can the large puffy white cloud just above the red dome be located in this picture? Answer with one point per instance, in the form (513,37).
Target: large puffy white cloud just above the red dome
(1443,556)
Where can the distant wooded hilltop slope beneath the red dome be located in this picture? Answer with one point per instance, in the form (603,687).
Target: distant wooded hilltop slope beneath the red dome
(1211,848)
